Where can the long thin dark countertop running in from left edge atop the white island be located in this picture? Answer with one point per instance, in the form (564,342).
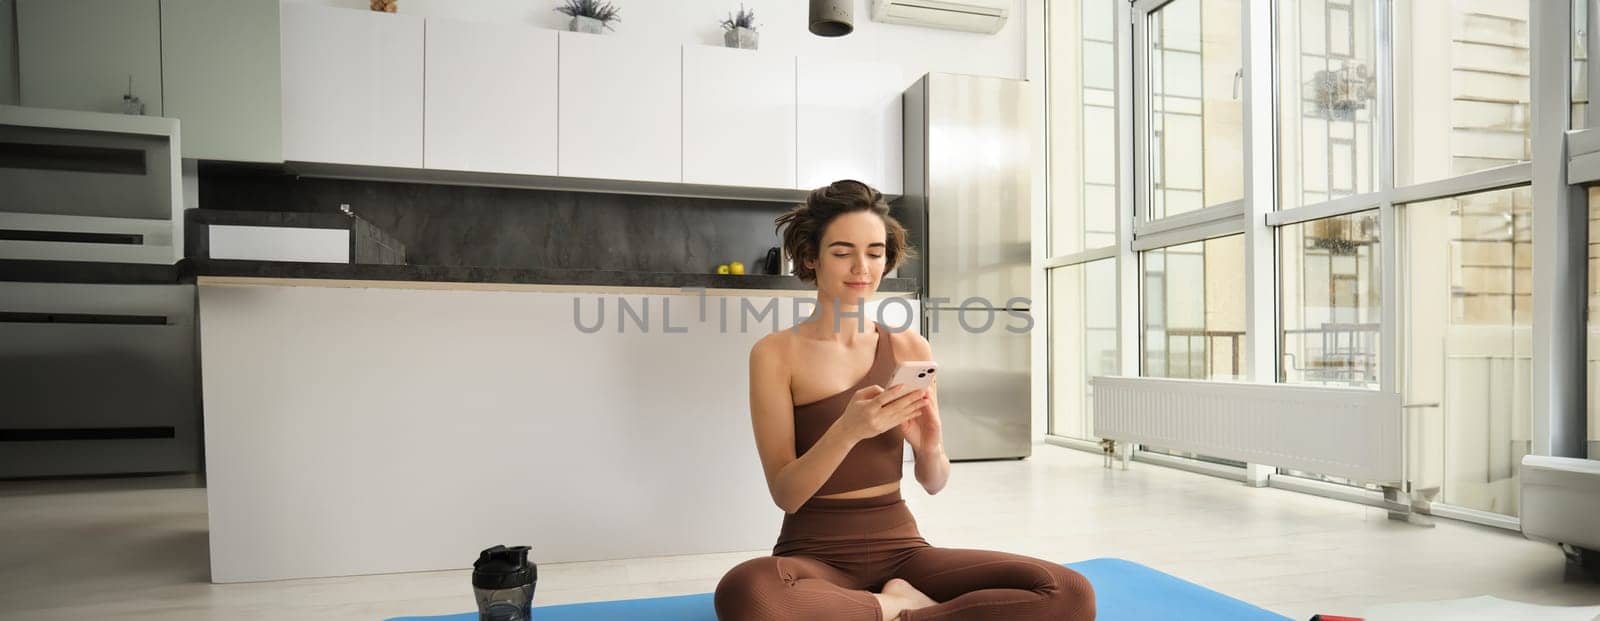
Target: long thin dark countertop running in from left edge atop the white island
(188,270)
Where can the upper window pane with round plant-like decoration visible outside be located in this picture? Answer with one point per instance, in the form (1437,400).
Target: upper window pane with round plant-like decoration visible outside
(1327,100)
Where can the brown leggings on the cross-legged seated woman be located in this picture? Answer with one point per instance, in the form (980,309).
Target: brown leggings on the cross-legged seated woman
(836,550)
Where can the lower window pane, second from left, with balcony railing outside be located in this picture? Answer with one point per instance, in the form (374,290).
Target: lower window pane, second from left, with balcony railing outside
(1194,311)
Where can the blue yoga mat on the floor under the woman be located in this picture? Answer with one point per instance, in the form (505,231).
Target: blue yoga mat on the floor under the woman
(1124,591)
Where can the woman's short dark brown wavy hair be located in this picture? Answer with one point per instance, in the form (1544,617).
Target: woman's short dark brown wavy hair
(804,225)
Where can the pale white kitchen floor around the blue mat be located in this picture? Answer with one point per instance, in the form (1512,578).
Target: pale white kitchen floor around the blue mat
(137,548)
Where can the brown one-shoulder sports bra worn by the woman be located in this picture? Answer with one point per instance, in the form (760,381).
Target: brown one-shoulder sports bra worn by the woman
(873,462)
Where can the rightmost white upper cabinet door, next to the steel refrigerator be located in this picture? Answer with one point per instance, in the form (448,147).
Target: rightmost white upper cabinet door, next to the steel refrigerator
(850,122)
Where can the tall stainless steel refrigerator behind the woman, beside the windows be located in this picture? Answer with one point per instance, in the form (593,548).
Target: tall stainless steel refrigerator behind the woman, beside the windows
(967,206)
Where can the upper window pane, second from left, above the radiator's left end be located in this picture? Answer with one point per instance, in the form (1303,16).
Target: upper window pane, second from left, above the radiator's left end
(1196,106)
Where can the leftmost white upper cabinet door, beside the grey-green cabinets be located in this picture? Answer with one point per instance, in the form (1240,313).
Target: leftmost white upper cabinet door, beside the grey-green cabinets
(353,87)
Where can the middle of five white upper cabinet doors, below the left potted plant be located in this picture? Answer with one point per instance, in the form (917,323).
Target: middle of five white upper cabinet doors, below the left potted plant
(622,110)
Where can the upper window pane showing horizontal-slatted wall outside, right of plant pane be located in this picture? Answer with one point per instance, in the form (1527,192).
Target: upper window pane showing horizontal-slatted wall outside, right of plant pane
(1462,87)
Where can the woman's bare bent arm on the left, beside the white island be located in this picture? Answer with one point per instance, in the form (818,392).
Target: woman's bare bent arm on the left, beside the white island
(791,481)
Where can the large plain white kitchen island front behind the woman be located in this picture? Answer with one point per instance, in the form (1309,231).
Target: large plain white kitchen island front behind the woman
(386,419)
